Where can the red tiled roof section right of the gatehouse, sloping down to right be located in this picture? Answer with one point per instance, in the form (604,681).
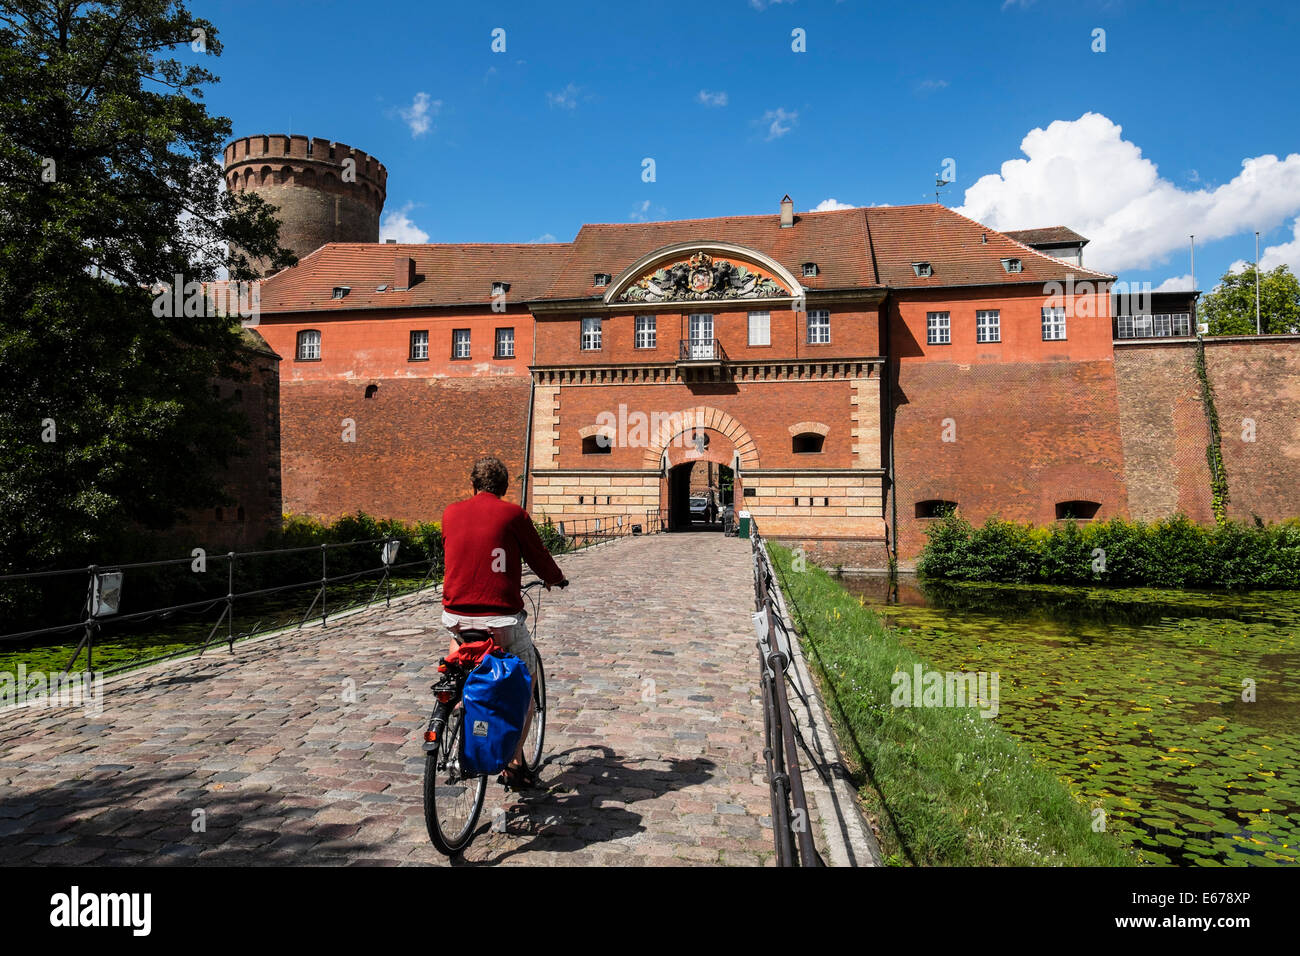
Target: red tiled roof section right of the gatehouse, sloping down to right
(960,250)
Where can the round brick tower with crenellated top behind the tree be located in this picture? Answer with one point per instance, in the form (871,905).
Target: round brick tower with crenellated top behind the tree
(326,192)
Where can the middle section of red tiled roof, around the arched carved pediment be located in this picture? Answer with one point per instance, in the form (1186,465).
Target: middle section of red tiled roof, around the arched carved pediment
(837,241)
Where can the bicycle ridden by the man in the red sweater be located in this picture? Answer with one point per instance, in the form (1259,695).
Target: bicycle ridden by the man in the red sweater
(454,799)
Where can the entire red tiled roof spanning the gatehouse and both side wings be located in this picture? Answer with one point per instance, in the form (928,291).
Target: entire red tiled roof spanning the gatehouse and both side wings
(855,249)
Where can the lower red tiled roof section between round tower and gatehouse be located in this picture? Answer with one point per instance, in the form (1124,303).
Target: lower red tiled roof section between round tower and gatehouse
(447,275)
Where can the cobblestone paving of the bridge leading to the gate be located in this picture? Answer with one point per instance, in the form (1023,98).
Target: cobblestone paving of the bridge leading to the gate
(655,738)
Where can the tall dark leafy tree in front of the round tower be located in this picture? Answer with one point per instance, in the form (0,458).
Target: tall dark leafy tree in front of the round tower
(111,185)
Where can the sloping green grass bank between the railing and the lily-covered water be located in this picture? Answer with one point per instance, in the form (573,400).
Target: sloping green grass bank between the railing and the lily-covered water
(947,786)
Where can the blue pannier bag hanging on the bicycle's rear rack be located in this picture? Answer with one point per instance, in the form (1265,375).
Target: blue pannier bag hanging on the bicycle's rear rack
(496,700)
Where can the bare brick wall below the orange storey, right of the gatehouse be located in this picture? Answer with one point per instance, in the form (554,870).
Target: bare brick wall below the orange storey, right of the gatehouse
(1028,436)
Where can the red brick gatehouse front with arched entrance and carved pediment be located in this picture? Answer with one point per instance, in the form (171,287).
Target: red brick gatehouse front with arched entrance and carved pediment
(683,371)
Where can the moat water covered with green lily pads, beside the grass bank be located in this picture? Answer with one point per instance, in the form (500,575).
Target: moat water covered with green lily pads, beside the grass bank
(1177,713)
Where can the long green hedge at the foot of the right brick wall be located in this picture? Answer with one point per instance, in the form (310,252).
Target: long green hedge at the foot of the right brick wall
(1171,553)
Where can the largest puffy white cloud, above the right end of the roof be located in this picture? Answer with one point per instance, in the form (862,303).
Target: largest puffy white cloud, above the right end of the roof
(1082,174)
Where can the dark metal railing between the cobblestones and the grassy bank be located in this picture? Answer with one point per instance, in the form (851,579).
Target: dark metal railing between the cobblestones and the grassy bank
(792,828)
